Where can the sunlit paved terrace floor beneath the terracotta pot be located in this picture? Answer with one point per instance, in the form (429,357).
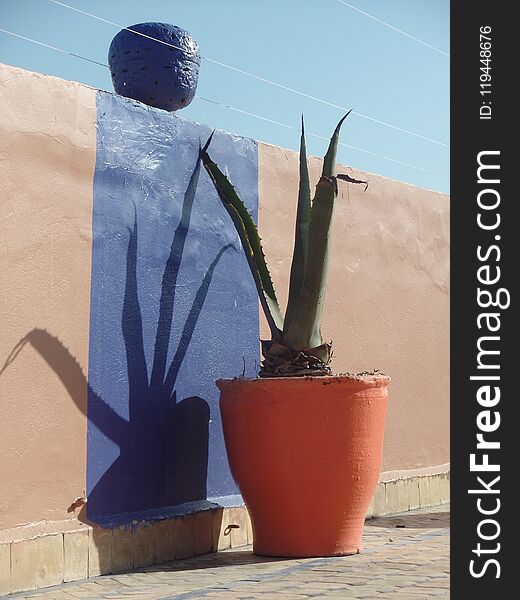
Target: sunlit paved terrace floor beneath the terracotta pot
(406,557)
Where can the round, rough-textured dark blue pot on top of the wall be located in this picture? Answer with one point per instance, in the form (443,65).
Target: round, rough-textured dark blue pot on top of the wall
(163,75)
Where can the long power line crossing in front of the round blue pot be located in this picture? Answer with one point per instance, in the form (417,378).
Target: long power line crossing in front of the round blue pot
(259,78)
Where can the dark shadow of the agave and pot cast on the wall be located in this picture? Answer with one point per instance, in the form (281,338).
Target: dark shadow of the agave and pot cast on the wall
(163,445)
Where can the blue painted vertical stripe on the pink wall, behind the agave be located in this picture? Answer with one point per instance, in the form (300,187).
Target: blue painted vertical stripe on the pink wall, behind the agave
(173,308)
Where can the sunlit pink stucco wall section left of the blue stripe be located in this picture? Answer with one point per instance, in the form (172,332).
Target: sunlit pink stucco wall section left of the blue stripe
(47,155)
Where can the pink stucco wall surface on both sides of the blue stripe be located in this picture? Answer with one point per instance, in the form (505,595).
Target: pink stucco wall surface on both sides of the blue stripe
(387,303)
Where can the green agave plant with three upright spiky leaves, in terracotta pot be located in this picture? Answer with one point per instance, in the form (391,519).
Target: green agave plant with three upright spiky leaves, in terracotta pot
(296,346)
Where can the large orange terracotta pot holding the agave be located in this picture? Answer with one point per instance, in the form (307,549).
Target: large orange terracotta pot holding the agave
(306,455)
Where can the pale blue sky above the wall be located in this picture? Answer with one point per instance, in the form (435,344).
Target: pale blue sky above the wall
(323,48)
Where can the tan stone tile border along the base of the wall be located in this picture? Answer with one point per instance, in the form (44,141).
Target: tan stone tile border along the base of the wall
(49,557)
